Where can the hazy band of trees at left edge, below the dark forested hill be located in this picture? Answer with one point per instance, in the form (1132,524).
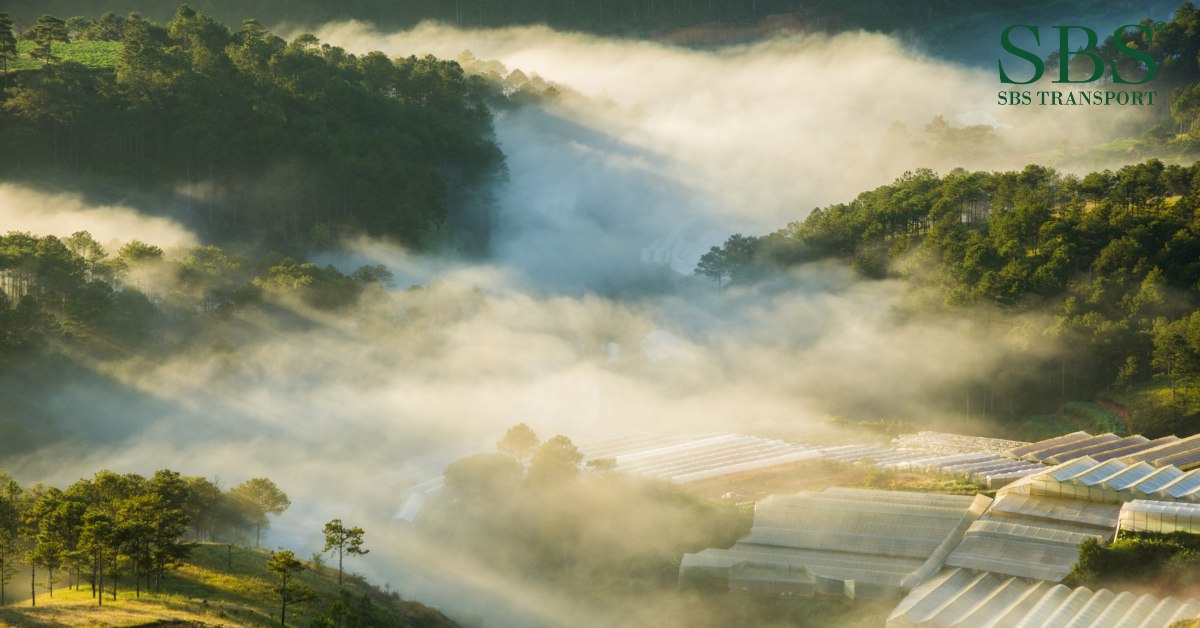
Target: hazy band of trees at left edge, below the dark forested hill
(74,291)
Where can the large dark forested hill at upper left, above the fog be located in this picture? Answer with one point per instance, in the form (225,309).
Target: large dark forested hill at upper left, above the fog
(263,141)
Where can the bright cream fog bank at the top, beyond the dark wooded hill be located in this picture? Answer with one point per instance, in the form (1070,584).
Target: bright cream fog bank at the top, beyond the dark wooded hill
(765,133)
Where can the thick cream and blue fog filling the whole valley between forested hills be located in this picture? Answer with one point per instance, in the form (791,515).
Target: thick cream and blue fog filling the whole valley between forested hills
(614,192)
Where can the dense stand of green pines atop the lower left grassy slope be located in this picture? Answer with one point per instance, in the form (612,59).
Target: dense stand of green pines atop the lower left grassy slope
(104,529)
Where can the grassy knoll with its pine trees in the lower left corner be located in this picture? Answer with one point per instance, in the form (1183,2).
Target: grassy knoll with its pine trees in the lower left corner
(147,549)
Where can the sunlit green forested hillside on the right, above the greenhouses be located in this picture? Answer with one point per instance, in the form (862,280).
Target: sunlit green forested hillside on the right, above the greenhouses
(1112,259)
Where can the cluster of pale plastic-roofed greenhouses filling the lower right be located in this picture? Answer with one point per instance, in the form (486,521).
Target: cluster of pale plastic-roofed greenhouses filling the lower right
(962,561)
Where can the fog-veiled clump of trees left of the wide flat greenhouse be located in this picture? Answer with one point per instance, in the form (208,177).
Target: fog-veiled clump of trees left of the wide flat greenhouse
(591,534)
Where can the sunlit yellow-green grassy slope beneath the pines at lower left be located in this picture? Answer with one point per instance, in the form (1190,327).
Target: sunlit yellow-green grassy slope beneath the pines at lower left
(205,593)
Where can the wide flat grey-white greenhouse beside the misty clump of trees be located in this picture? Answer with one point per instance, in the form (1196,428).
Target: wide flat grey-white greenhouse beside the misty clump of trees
(854,542)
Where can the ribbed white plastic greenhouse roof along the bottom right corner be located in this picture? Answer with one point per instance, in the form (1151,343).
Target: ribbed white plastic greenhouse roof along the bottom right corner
(961,599)
